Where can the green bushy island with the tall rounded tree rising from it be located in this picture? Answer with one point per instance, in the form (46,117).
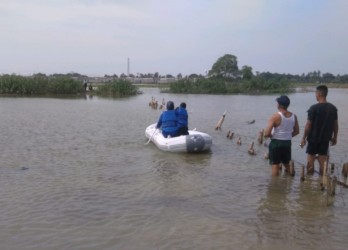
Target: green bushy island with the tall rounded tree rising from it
(226,78)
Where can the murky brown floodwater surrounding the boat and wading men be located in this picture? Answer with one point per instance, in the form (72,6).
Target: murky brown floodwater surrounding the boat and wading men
(76,174)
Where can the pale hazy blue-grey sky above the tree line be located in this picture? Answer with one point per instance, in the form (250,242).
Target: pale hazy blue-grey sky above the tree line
(98,37)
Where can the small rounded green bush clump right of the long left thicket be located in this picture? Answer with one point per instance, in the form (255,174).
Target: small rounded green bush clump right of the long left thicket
(117,88)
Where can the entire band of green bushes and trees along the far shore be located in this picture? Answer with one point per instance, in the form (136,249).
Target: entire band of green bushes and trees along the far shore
(224,77)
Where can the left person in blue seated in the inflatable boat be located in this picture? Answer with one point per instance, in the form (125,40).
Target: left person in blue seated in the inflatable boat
(168,121)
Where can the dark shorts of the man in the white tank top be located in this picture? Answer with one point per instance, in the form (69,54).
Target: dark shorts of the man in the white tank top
(279,152)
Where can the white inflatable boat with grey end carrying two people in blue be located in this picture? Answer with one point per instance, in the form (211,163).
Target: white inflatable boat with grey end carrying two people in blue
(194,142)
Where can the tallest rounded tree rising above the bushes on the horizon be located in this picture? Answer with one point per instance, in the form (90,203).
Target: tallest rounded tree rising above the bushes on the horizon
(226,67)
